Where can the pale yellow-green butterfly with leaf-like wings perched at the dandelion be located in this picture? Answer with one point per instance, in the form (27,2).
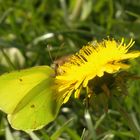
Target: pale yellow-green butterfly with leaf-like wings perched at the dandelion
(28,98)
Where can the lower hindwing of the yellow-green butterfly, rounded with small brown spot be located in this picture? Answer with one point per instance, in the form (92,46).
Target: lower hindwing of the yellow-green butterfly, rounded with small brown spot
(33,113)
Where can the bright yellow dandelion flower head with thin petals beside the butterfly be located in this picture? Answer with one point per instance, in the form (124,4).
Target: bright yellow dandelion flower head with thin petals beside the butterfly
(92,60)
